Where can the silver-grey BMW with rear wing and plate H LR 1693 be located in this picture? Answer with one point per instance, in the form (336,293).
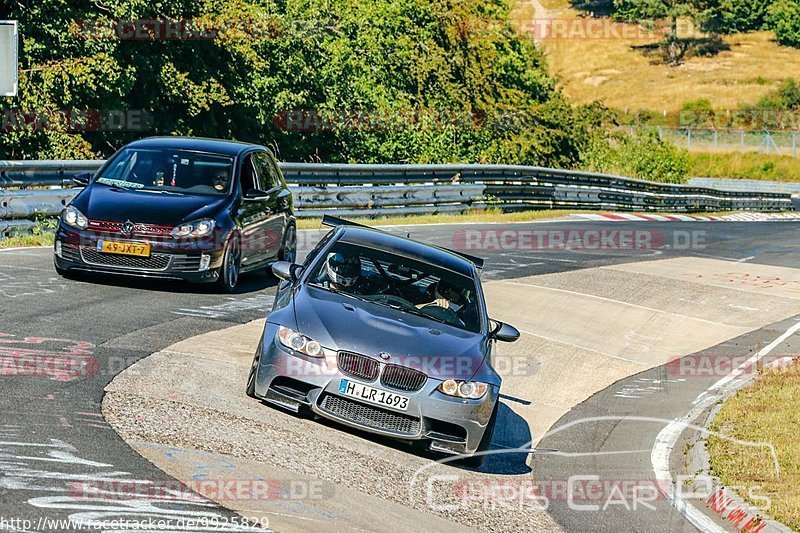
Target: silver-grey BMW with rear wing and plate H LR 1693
(384,334)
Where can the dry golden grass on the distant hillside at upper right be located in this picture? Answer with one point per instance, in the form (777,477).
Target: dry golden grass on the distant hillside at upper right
(624,78)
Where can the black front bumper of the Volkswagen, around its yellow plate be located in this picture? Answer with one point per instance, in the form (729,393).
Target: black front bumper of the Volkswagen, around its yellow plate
(77,250)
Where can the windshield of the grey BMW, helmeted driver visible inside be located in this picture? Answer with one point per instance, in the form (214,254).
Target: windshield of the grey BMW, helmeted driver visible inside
(401,283)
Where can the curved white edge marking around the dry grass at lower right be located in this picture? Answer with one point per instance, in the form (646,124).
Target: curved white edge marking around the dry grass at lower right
(668,437)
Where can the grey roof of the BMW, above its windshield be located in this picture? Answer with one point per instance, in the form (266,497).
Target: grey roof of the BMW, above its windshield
(408,247)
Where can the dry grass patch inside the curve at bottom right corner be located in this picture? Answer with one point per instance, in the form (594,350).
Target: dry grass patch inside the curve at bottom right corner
(763,412)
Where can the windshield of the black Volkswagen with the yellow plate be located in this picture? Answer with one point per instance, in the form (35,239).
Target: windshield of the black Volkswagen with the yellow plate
(177,171)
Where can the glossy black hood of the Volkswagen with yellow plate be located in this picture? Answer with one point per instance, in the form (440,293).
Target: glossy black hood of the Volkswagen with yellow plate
(118,205)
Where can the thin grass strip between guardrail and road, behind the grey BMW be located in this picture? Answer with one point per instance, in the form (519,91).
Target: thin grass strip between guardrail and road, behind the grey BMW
(487,216)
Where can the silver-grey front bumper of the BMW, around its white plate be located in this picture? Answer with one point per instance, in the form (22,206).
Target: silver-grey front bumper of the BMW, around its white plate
(290,380)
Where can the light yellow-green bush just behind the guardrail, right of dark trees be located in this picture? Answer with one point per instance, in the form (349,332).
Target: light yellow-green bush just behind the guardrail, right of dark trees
(643,156)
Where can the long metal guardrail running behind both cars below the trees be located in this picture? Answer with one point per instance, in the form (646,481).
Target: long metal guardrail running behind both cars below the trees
(369,190)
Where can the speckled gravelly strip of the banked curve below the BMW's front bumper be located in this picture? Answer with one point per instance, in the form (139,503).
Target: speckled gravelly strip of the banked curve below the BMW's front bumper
(180,400)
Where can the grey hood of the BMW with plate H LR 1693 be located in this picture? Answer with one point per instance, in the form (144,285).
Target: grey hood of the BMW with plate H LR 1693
(341,323)
